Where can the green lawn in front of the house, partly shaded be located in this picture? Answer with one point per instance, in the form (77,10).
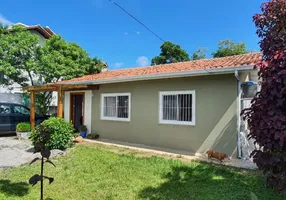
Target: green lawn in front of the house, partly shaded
(97,172)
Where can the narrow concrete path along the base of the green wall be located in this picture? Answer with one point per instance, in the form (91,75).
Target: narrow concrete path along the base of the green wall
(182,155)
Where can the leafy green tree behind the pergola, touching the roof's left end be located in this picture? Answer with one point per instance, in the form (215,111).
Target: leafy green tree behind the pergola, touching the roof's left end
(61,60)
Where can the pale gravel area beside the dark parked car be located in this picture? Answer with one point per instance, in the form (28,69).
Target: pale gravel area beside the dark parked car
(14,152)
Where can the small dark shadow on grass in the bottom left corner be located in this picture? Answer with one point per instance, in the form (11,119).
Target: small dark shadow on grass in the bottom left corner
(14,189)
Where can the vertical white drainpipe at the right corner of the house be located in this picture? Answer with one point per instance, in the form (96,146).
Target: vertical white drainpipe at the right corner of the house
(238,114)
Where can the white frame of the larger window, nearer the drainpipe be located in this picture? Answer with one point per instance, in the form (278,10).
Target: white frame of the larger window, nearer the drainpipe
(162,121)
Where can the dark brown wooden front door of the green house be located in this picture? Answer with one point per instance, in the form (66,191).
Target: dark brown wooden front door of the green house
(77,109)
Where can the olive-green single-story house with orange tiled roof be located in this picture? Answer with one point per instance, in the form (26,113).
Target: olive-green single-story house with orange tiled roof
(192,106)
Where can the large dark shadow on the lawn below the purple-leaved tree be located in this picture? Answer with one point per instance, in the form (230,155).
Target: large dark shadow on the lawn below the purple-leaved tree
(202,182)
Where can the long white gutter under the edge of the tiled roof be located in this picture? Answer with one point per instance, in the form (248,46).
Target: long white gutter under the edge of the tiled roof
(225,70)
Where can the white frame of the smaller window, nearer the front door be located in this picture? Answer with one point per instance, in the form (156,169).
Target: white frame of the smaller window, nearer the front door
(103,95)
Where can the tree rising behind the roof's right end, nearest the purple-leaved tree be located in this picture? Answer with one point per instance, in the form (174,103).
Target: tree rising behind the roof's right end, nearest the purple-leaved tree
(229,48)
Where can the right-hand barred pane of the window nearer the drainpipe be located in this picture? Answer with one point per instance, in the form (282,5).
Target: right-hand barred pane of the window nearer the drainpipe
(185,107)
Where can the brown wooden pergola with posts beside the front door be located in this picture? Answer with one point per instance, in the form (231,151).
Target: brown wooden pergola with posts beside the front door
(60,88)
